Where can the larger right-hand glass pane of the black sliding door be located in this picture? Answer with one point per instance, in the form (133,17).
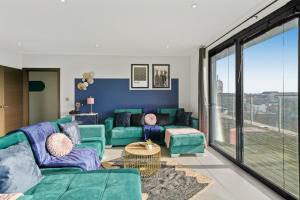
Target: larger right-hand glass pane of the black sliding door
(270,105)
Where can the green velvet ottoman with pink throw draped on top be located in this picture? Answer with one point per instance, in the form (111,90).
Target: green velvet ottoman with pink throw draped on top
(185,141)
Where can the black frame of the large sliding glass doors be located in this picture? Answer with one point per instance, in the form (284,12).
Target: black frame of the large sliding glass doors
(279,17)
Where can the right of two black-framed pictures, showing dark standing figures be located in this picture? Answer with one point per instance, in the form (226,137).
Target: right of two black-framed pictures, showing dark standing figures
(161,76)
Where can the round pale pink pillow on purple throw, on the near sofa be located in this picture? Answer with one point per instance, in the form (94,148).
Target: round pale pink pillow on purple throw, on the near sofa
(58,144)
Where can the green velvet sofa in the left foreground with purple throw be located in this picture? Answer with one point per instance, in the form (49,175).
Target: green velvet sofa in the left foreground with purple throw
(70,183)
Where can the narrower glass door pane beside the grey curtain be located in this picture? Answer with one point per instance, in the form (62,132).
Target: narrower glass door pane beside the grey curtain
(223,100)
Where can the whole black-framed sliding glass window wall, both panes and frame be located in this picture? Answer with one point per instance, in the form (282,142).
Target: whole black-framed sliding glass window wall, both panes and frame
(254,115)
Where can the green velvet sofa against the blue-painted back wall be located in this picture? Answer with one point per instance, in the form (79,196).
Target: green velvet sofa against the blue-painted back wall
(120,136)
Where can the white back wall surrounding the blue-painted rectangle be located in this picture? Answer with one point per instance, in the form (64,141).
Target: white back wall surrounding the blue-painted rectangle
(73,66)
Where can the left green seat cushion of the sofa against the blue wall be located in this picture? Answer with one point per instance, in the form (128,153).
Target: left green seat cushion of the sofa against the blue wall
(127,132)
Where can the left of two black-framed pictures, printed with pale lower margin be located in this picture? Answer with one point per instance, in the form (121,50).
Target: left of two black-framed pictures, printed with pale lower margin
(139,76)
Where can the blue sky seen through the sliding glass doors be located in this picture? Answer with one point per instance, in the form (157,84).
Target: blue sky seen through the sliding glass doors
(269,65)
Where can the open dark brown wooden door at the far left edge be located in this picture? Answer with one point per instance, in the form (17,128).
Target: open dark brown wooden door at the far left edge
(12,99)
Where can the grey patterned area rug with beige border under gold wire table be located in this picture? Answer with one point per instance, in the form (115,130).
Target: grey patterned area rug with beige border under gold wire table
(172,182)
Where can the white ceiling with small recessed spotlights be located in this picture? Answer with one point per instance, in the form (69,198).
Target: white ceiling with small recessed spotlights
(120,27)
